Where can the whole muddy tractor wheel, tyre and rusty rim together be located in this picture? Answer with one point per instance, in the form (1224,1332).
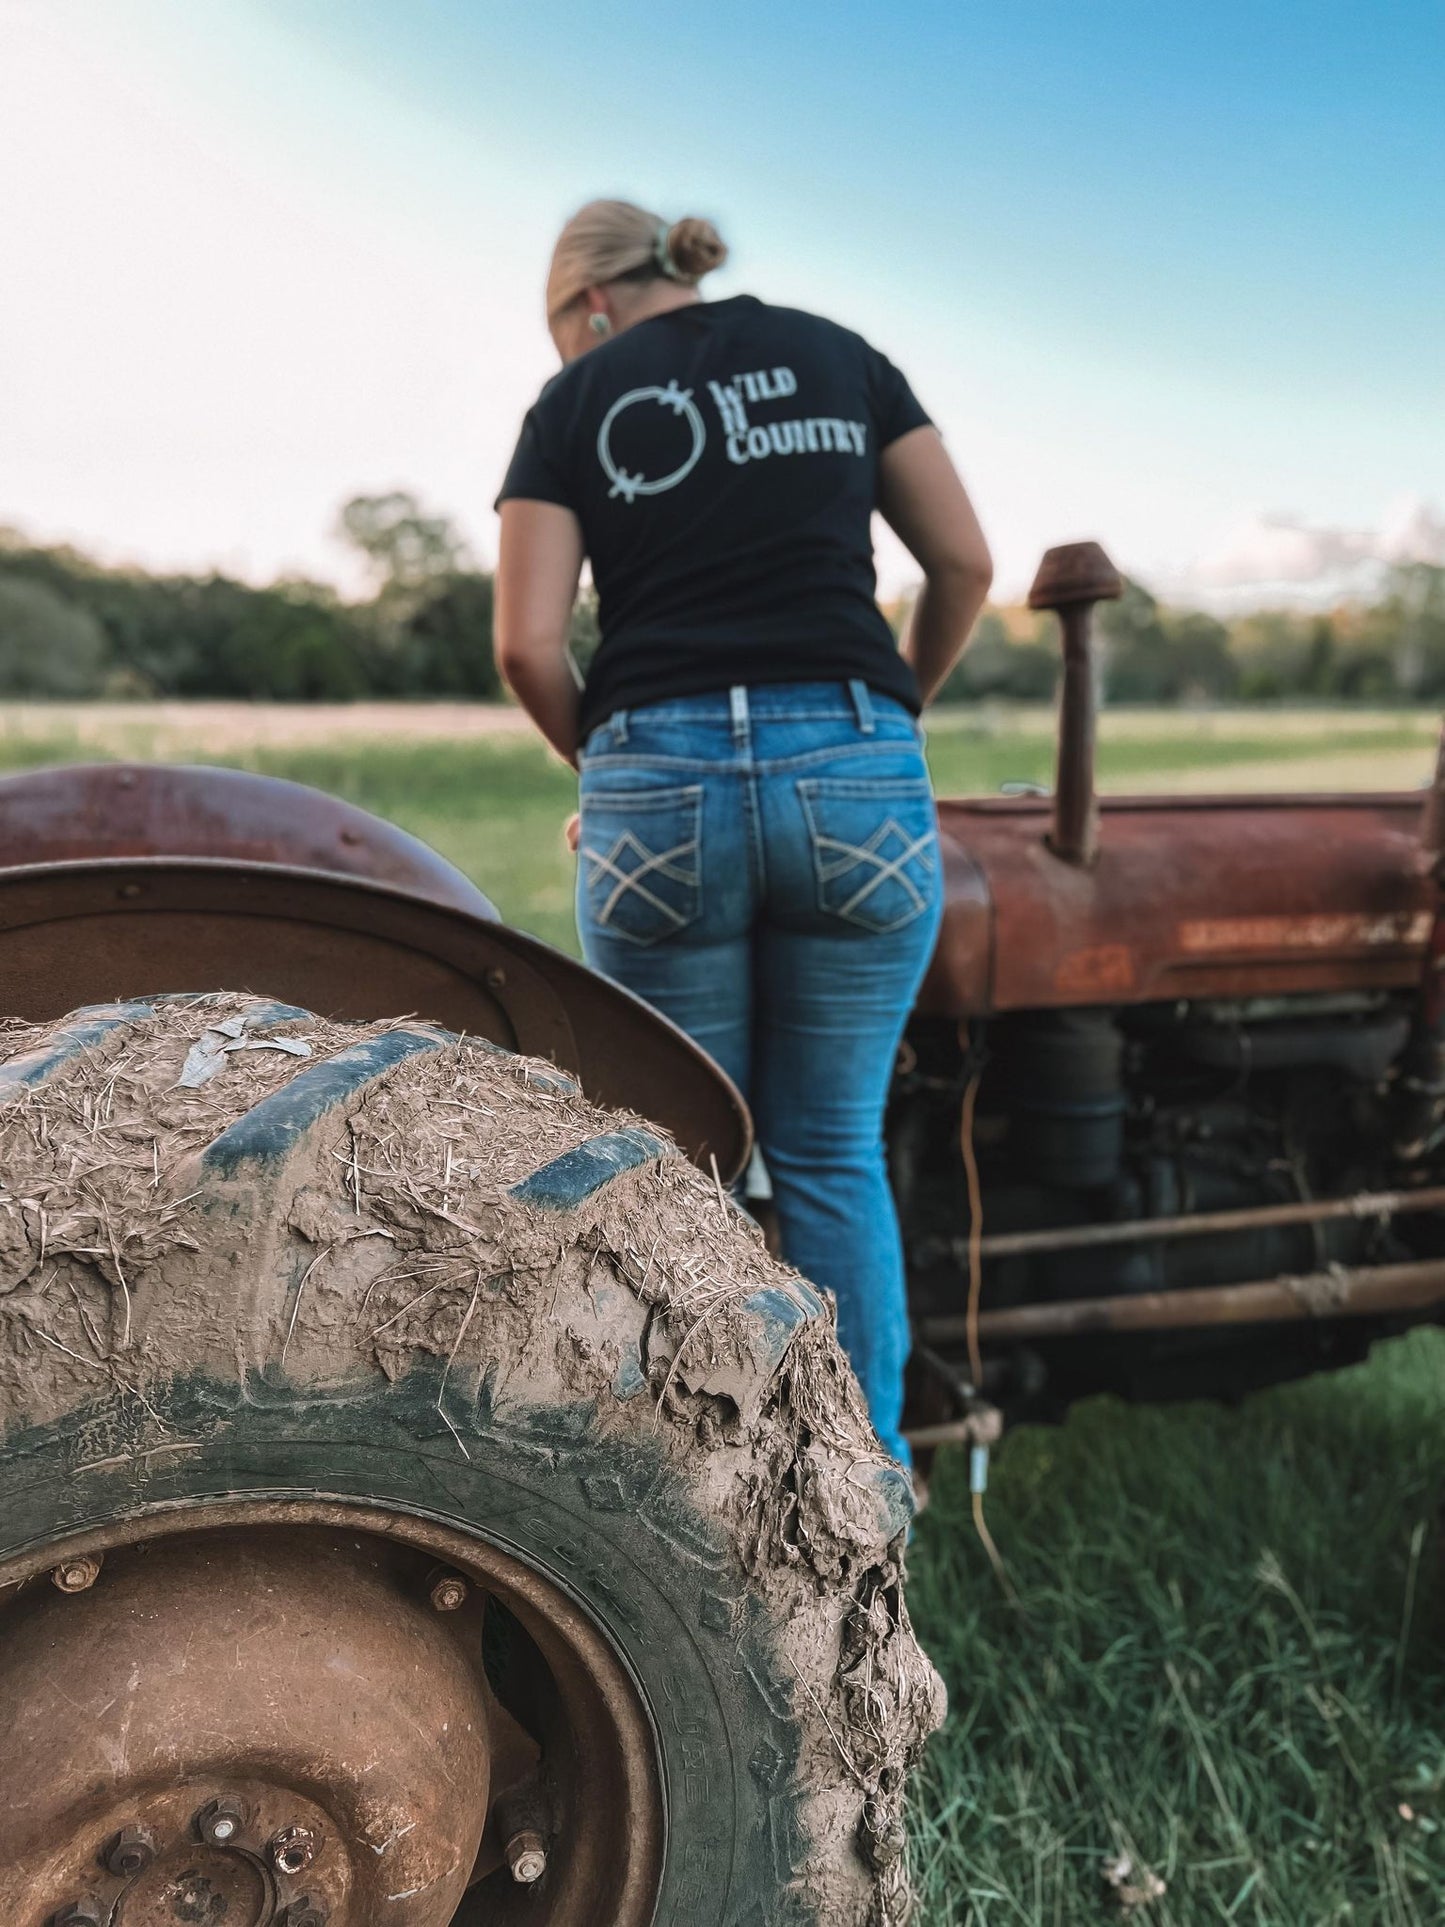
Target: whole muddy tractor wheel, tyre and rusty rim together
(423,1502)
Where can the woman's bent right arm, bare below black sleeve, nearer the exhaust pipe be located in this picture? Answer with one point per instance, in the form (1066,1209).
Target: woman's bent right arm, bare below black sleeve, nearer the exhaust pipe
(928,508)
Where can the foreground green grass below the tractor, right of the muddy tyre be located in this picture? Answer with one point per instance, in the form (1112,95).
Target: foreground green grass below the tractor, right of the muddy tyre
(1226,1660)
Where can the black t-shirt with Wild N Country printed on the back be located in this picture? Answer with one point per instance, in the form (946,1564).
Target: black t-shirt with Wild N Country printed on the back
(723,463)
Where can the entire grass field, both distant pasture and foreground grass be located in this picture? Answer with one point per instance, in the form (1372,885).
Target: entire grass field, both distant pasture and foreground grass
(1226,1658)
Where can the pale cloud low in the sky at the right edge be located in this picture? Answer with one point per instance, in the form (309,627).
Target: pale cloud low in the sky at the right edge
(1280,552)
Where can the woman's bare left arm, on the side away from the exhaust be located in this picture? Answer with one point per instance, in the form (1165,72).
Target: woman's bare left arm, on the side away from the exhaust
(539,573)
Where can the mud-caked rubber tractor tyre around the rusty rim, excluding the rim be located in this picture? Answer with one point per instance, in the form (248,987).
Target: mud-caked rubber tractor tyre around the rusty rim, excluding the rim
(413,1271)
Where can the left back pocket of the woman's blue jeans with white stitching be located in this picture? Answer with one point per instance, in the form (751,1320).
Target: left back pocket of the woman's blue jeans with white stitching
(641,857)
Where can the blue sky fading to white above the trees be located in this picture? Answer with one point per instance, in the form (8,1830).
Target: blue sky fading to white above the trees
(1165,275)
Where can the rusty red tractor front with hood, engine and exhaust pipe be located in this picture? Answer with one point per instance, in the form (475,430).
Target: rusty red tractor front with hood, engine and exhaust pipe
(1170,1119)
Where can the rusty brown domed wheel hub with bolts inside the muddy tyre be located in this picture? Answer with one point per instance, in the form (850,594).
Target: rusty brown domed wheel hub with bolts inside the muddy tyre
(267,1728)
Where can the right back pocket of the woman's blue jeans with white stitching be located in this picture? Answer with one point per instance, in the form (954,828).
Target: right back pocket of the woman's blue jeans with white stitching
(876,849)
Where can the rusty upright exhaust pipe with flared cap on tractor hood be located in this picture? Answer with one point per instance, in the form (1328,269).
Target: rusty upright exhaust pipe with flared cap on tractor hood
(1070,583)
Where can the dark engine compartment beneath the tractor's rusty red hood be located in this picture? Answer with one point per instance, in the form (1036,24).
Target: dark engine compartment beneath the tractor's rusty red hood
(1088,1124)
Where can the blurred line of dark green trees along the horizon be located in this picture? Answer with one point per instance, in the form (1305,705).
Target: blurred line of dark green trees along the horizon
(72,629)
